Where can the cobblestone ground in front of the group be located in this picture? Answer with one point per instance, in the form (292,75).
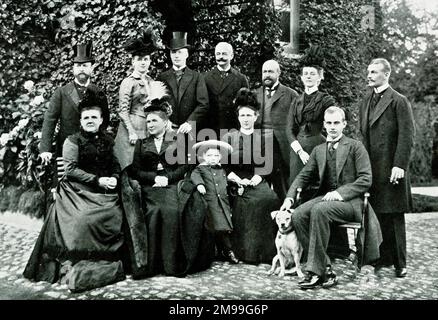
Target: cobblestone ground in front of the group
(226,281)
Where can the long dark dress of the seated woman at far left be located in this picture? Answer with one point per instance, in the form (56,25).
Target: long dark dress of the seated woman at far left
(85,221)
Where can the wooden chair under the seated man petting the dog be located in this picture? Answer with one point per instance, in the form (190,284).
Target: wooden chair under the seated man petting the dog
(355,227)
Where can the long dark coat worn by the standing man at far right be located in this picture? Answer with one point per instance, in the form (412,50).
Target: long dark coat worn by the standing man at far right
(388,135)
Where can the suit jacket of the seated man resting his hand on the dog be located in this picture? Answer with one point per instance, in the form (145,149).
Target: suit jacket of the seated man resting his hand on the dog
(353,171)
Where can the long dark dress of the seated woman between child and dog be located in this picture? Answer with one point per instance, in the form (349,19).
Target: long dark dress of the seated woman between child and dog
(254,230)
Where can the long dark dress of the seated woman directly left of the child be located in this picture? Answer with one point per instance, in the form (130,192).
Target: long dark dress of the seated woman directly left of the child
(174,220)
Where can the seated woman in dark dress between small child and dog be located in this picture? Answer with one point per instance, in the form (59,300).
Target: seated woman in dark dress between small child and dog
(254,231)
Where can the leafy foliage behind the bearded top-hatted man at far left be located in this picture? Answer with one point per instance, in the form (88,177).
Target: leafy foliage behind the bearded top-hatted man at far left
(37,44)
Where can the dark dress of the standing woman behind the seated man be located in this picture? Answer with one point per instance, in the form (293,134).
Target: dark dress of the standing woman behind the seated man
(305,124)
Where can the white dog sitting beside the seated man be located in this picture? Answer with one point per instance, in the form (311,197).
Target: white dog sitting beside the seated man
(289,249)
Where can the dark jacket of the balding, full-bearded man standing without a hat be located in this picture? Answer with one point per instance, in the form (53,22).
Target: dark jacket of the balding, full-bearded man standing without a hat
(281,103)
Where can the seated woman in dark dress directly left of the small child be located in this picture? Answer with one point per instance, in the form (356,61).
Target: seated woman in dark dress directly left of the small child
(160,165)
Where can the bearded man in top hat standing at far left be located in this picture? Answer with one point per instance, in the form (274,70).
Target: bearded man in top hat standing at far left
(64,104)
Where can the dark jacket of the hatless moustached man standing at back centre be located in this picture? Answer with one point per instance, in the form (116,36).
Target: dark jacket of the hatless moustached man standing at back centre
(221,94)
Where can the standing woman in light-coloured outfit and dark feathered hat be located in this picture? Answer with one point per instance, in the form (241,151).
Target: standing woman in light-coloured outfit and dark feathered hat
(136,92)
